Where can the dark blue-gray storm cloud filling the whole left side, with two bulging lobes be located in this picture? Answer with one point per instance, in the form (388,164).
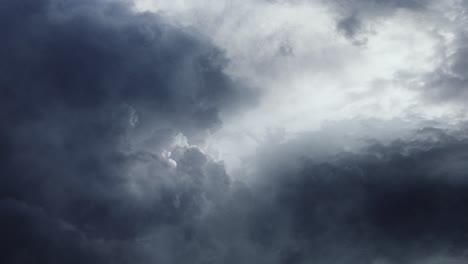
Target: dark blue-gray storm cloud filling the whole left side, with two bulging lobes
(79,81)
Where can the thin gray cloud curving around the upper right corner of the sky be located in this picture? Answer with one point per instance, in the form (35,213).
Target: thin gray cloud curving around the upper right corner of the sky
(446,84)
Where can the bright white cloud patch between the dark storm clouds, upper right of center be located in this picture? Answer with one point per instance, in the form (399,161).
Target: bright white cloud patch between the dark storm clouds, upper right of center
(308,72)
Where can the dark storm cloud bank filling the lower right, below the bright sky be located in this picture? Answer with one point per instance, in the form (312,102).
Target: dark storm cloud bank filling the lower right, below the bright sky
(399,202)
